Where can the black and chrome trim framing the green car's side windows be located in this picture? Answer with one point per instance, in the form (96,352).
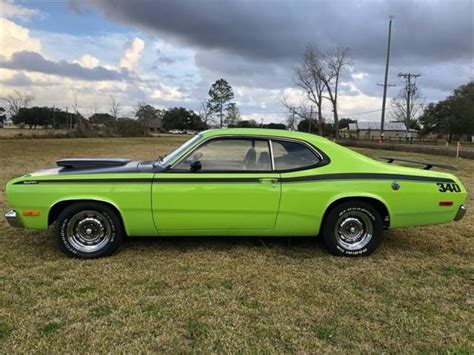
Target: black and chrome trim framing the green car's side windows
(324,159)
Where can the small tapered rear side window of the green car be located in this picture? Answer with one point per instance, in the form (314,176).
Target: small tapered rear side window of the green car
(291,155)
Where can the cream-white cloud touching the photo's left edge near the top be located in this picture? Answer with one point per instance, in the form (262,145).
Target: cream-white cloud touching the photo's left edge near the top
(15,38)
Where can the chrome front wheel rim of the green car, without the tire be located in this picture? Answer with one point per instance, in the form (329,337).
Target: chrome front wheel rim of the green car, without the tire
(89,231)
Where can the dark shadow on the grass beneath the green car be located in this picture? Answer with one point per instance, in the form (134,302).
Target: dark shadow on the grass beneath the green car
(405,241)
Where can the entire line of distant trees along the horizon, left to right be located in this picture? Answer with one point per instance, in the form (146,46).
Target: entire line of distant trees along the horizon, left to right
(318,76)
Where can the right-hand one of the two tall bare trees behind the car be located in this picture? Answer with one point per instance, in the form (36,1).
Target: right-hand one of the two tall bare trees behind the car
(332,64)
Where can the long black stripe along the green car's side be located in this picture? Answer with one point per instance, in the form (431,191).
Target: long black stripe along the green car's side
(321,177)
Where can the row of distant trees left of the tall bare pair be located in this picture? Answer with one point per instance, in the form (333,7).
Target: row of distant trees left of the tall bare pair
(217,111)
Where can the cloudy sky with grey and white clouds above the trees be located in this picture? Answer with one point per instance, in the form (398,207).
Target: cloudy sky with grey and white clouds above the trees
(168,53)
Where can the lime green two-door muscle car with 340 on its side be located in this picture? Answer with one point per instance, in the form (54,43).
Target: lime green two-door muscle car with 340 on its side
(235,182)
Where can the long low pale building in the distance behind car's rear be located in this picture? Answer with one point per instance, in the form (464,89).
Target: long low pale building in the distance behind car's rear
(369,130)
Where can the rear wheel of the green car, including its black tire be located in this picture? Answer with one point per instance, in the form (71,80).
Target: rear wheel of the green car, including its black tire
(353,228)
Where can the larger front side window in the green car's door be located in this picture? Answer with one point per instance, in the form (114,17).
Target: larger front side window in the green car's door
(228,155)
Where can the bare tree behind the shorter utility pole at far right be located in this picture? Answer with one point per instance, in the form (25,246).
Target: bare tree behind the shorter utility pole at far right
(407,105)
